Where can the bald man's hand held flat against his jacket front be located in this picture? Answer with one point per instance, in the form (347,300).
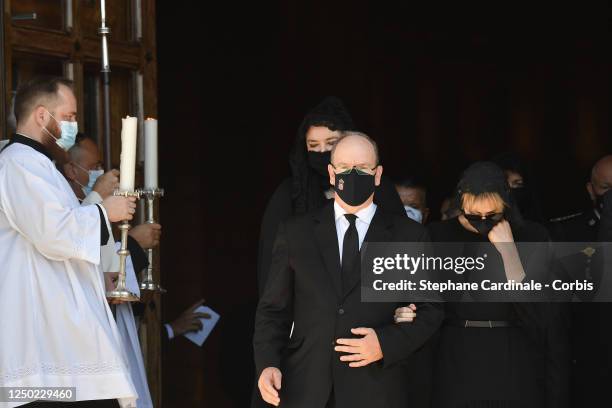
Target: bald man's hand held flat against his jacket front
(361,351)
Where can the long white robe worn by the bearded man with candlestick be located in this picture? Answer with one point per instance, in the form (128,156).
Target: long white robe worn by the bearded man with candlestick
(57,329)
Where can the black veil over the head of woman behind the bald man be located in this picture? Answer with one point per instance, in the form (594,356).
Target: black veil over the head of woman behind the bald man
(307,185)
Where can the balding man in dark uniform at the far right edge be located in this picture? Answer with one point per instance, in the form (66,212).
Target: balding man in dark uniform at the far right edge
(591,331)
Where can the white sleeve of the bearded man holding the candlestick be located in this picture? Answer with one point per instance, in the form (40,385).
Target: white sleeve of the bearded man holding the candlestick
(34,209)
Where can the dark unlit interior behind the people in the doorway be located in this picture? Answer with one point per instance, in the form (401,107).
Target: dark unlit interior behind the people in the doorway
(438,87)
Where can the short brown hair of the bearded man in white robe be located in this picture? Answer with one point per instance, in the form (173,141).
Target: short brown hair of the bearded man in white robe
(31,93)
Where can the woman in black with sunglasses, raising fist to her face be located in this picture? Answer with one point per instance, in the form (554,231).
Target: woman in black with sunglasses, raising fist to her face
(496,354)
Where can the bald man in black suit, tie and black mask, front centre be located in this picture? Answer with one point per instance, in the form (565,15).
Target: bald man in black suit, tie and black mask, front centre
(341,352)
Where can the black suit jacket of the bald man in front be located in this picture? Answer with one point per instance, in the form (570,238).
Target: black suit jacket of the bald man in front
(304,287)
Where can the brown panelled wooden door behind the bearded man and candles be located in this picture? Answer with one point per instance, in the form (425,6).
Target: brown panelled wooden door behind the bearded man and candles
(60,37)
